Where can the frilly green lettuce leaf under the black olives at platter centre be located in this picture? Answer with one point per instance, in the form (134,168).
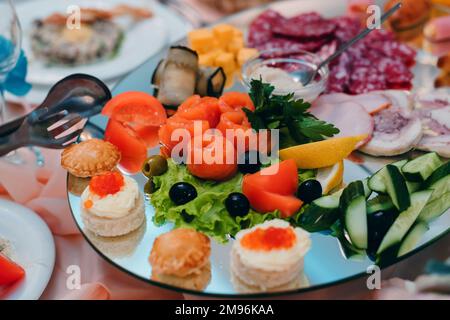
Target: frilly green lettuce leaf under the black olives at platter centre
(207,212)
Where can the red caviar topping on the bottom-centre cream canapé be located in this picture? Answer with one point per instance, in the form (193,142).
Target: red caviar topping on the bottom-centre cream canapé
(272,238)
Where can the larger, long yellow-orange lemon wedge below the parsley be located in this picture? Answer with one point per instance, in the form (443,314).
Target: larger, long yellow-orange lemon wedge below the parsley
(322,153)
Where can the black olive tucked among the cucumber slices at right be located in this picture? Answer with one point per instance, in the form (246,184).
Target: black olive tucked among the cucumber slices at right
(378,224)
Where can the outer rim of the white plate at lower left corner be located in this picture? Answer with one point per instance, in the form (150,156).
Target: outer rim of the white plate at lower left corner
(29,212)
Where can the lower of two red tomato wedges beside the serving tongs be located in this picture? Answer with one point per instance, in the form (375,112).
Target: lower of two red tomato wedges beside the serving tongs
(132,148)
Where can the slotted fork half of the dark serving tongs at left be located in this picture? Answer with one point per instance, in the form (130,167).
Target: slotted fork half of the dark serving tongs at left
(54,131)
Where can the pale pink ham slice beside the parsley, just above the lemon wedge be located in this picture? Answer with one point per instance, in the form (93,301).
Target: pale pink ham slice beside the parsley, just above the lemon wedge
(350,117)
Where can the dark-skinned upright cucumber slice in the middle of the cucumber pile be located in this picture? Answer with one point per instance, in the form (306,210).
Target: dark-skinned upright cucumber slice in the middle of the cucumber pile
(396,187)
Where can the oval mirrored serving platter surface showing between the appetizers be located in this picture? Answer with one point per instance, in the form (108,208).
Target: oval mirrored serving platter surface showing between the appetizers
(325,264)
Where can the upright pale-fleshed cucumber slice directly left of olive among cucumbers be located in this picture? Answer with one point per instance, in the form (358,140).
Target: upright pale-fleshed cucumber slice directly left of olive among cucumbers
(353,204)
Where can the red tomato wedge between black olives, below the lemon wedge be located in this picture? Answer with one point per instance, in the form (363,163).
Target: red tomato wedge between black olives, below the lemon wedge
(280,178)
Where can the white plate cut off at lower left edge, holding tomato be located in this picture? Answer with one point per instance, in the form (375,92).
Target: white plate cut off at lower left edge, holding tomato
(32,248)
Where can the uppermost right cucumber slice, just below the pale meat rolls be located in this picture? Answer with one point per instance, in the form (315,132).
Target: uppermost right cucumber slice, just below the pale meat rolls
(419,169)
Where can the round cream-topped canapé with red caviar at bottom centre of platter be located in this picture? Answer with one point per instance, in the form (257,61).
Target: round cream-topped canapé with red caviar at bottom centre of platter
(269,255)
